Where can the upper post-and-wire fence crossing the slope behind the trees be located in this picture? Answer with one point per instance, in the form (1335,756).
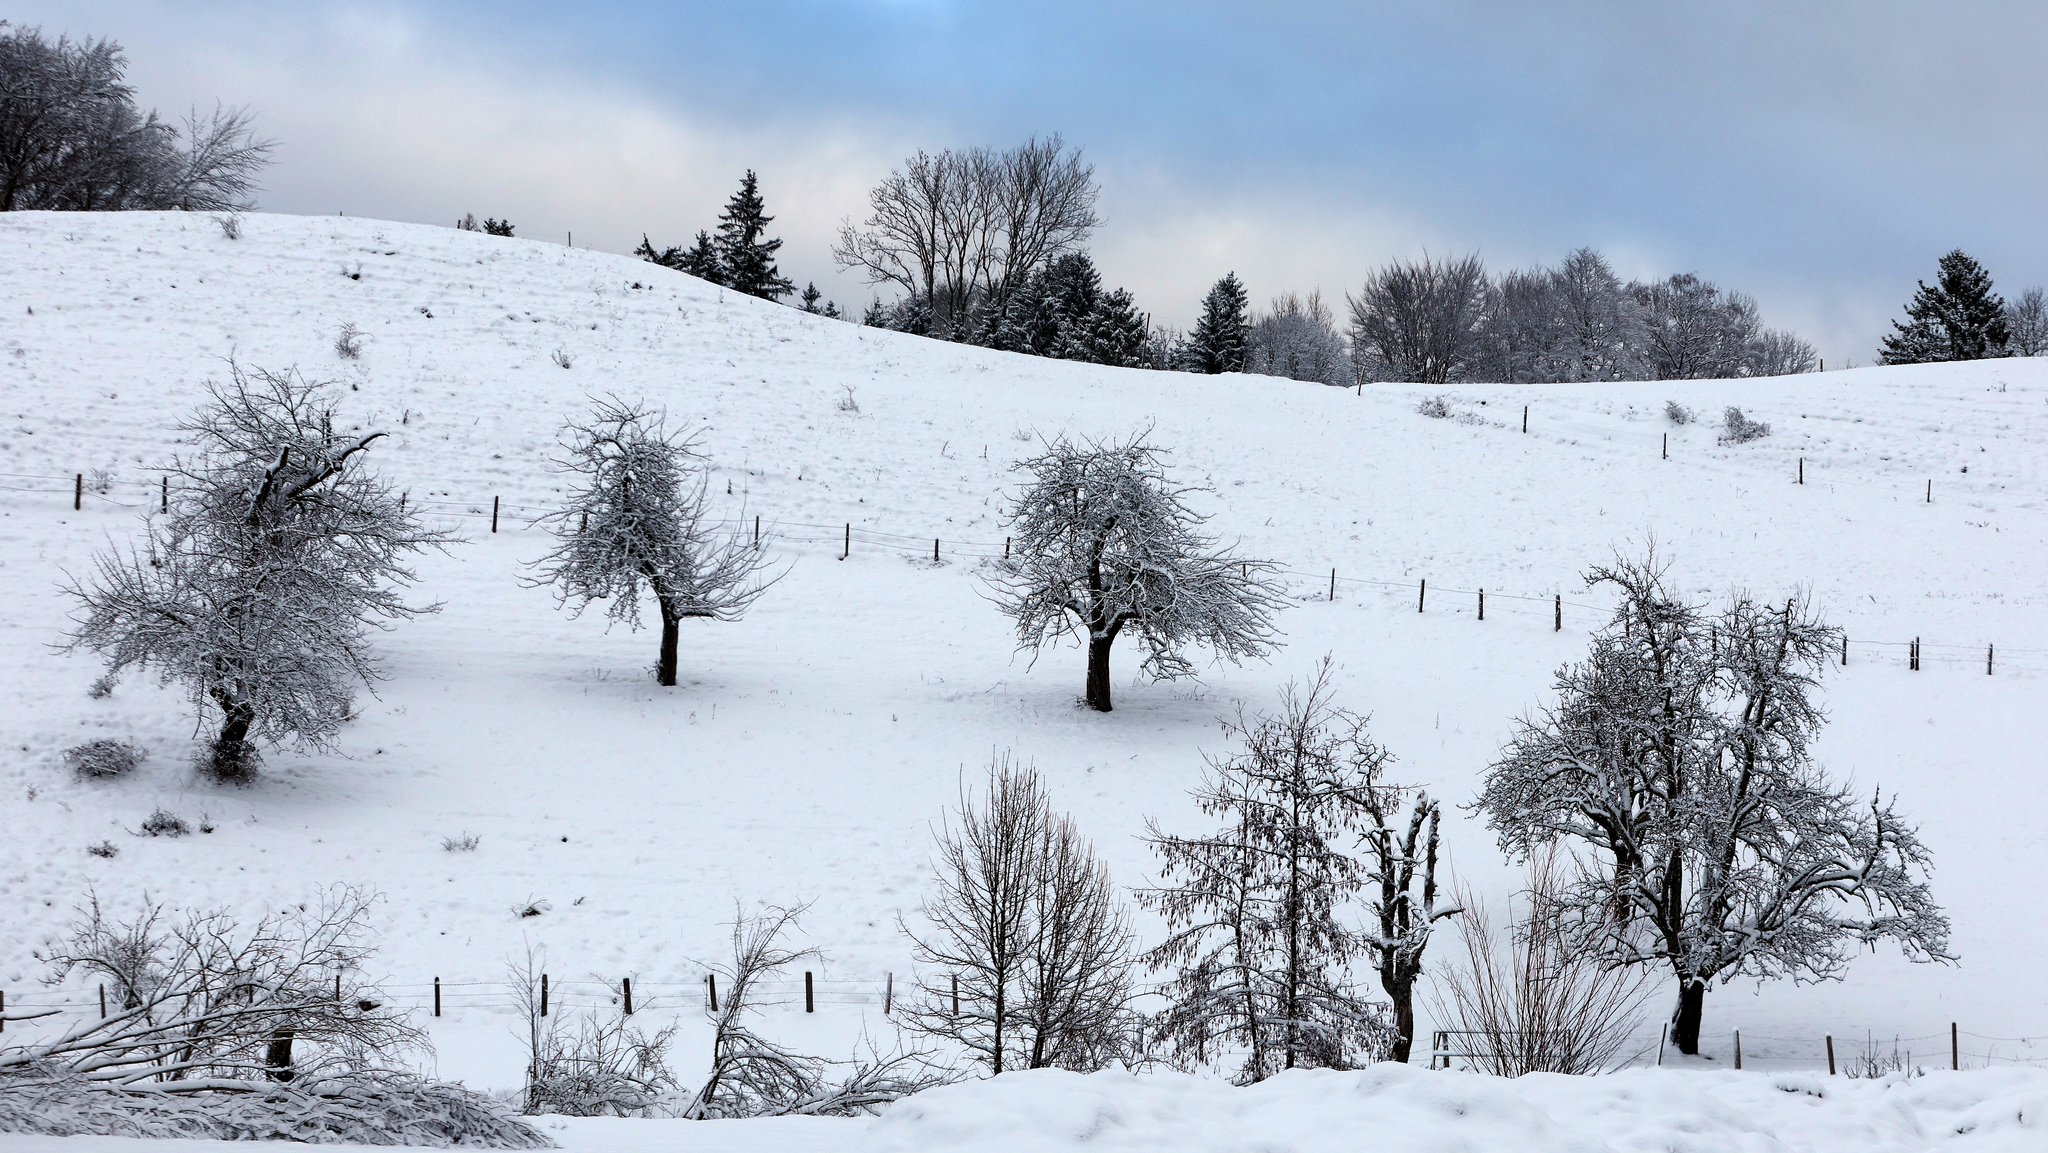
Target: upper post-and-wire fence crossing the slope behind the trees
(849,540)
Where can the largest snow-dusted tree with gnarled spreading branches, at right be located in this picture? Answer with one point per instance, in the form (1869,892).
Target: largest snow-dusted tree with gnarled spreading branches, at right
(1678,761)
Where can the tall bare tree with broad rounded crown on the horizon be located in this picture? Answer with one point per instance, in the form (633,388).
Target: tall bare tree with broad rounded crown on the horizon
(968,226)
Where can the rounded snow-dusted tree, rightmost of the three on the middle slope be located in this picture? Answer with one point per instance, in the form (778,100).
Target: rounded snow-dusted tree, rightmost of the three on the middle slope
(1105,542)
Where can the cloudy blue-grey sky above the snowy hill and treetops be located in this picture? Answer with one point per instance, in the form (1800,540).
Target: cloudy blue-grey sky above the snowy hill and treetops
(1816,155)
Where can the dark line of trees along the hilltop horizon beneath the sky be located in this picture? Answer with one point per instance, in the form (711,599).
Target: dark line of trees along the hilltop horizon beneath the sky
(990,247)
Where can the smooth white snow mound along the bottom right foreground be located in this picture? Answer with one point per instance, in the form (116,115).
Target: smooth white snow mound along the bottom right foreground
(1396,1109)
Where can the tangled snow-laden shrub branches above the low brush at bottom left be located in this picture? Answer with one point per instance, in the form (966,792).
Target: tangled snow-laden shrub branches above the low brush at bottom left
(210,1005)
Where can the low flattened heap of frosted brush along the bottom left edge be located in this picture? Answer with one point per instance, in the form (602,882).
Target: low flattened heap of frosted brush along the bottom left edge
(388,1109)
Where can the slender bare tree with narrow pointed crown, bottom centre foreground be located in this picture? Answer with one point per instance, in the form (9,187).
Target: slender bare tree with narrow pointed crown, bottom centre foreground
(1027,945)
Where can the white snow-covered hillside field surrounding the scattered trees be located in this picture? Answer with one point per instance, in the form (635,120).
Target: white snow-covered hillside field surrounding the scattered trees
(812,746)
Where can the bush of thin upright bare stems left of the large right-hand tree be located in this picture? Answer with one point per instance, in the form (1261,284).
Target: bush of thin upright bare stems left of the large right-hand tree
(1537,1002)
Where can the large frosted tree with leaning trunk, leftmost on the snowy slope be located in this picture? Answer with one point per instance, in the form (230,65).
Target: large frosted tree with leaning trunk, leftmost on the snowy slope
(261,587)
